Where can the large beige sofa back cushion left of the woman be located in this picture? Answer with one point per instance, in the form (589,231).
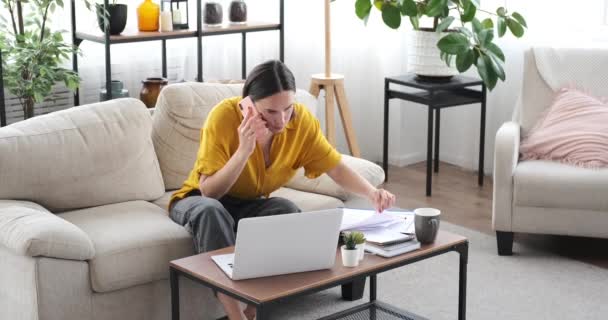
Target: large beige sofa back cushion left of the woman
(81,157)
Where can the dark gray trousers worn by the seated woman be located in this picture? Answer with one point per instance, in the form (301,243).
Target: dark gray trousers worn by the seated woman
(213,223)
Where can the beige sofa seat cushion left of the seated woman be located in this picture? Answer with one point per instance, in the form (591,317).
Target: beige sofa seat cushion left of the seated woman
(134,242)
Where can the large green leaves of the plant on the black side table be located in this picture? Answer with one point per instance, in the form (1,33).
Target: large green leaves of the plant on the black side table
(471,41)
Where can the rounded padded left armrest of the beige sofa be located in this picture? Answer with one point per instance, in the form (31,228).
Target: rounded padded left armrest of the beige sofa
(28,229)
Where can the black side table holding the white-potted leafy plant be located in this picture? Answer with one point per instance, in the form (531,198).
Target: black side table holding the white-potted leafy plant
(436,95)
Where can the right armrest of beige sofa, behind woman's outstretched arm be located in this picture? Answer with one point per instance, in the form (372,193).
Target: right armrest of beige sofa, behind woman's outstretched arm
(326,186)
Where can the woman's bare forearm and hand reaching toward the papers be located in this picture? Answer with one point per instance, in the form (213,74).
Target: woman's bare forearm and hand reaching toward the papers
(350,180)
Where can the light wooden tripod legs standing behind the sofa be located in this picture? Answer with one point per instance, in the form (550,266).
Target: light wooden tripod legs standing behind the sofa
(334,88)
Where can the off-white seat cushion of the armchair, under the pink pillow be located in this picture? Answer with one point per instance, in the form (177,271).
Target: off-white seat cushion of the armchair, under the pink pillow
(541,183)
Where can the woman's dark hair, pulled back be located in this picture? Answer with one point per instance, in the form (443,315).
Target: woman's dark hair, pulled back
(267,79)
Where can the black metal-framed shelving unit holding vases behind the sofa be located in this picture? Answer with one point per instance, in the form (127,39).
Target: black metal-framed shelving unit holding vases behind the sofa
(201,31)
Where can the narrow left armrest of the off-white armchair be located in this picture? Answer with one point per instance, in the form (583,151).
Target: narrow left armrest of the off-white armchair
(506,155)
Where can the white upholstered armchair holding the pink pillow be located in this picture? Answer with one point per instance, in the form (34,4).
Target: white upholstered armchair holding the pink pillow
(542,196)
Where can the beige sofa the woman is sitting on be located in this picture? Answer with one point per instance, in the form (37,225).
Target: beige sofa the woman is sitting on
(84,231)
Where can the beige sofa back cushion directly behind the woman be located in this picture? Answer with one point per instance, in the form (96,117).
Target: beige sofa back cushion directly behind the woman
(180,112)
